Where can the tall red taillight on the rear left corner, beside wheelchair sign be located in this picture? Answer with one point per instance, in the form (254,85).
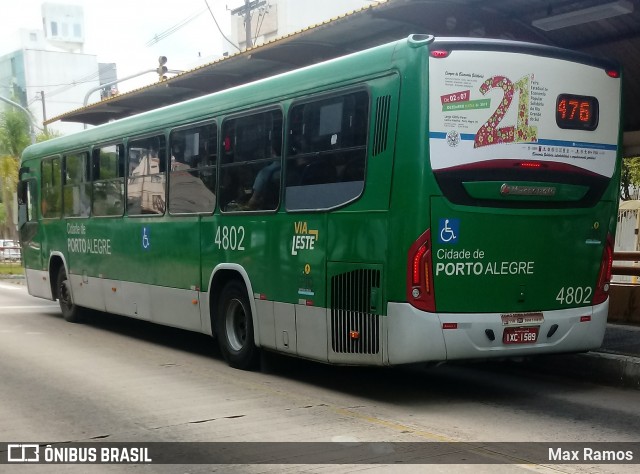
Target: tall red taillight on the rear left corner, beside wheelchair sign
(420,292)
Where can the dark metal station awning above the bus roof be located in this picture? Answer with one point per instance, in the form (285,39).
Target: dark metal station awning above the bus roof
(618,38)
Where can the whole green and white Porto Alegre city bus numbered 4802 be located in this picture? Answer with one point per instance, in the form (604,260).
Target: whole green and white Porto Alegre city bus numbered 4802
(430,199)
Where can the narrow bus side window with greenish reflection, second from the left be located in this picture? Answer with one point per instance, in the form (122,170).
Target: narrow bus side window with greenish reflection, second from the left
(76,194)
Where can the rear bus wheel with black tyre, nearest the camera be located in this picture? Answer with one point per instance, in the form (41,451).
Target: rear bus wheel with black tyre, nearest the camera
(234,328)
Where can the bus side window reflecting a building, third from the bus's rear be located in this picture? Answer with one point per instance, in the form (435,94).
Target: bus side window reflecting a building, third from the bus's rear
(192,178)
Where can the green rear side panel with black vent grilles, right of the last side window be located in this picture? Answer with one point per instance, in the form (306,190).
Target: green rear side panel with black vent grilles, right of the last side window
(357,251)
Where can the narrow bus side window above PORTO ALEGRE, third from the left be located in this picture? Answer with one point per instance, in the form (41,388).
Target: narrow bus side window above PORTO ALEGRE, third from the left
(108,173)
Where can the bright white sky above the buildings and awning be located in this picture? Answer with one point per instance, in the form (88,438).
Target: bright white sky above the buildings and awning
(120,31)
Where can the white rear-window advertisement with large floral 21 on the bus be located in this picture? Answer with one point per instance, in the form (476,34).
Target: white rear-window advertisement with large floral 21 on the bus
(501,105)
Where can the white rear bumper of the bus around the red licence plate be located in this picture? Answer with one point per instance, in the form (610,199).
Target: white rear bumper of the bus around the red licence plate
(416,336)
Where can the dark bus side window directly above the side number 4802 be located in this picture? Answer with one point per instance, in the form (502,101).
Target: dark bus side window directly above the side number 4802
(251,162)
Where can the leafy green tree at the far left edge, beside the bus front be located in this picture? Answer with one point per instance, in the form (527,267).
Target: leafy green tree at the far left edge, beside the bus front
(14,138)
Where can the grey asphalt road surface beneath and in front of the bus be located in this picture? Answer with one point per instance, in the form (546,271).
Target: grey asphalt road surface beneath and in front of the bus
(119,380)
